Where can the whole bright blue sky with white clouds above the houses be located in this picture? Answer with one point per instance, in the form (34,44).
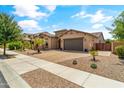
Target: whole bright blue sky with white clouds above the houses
(34,19)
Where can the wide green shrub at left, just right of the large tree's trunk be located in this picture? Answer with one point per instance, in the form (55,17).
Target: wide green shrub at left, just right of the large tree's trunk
(15,45)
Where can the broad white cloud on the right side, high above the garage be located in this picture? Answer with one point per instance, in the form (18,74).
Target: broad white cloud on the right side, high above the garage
(98,17)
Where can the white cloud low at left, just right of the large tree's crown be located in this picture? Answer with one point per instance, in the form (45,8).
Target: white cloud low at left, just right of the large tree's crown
(29,25)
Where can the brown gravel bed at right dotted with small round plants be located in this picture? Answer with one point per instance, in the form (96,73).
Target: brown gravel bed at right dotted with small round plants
(108,66)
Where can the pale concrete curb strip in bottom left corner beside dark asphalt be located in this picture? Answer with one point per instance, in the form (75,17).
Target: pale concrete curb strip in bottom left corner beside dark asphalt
(13,79)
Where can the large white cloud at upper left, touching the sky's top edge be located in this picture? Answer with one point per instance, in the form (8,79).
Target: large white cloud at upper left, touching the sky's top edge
(30,11)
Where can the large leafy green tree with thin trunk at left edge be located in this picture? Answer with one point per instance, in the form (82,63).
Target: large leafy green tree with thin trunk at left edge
(9,30)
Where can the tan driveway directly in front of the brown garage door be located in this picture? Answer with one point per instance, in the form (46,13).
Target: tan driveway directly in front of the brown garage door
(59,56)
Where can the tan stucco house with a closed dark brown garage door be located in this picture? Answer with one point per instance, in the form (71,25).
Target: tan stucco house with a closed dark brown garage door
(70,39)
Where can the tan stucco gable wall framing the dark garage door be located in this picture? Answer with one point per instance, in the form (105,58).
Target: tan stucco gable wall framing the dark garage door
(88,40)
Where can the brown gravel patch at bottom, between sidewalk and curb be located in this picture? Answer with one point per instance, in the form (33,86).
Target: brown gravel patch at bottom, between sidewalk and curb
(42,79)
